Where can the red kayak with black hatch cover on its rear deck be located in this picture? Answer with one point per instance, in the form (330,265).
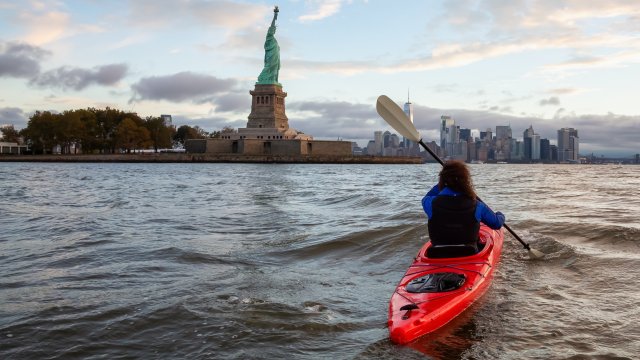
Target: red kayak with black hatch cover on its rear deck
(435,289)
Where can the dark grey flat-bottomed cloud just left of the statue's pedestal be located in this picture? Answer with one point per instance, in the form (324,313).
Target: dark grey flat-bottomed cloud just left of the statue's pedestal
(180,87)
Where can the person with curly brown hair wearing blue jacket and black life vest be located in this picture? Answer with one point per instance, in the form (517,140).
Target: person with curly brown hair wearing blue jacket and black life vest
(455,213)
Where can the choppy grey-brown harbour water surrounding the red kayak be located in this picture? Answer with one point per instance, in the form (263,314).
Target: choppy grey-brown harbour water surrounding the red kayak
(257,261)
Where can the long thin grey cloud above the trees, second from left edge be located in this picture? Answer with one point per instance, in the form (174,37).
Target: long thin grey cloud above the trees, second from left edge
(77,78)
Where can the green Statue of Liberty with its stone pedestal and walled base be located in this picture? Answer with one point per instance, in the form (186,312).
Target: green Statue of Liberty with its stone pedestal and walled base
(268,133)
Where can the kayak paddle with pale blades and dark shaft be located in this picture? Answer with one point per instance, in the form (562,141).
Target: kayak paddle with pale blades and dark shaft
(394,116)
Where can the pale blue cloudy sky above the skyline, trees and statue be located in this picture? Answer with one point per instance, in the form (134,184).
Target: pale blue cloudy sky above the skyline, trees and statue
(548,64)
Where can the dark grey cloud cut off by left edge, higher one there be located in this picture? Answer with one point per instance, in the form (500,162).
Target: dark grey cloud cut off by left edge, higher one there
(20,60)
